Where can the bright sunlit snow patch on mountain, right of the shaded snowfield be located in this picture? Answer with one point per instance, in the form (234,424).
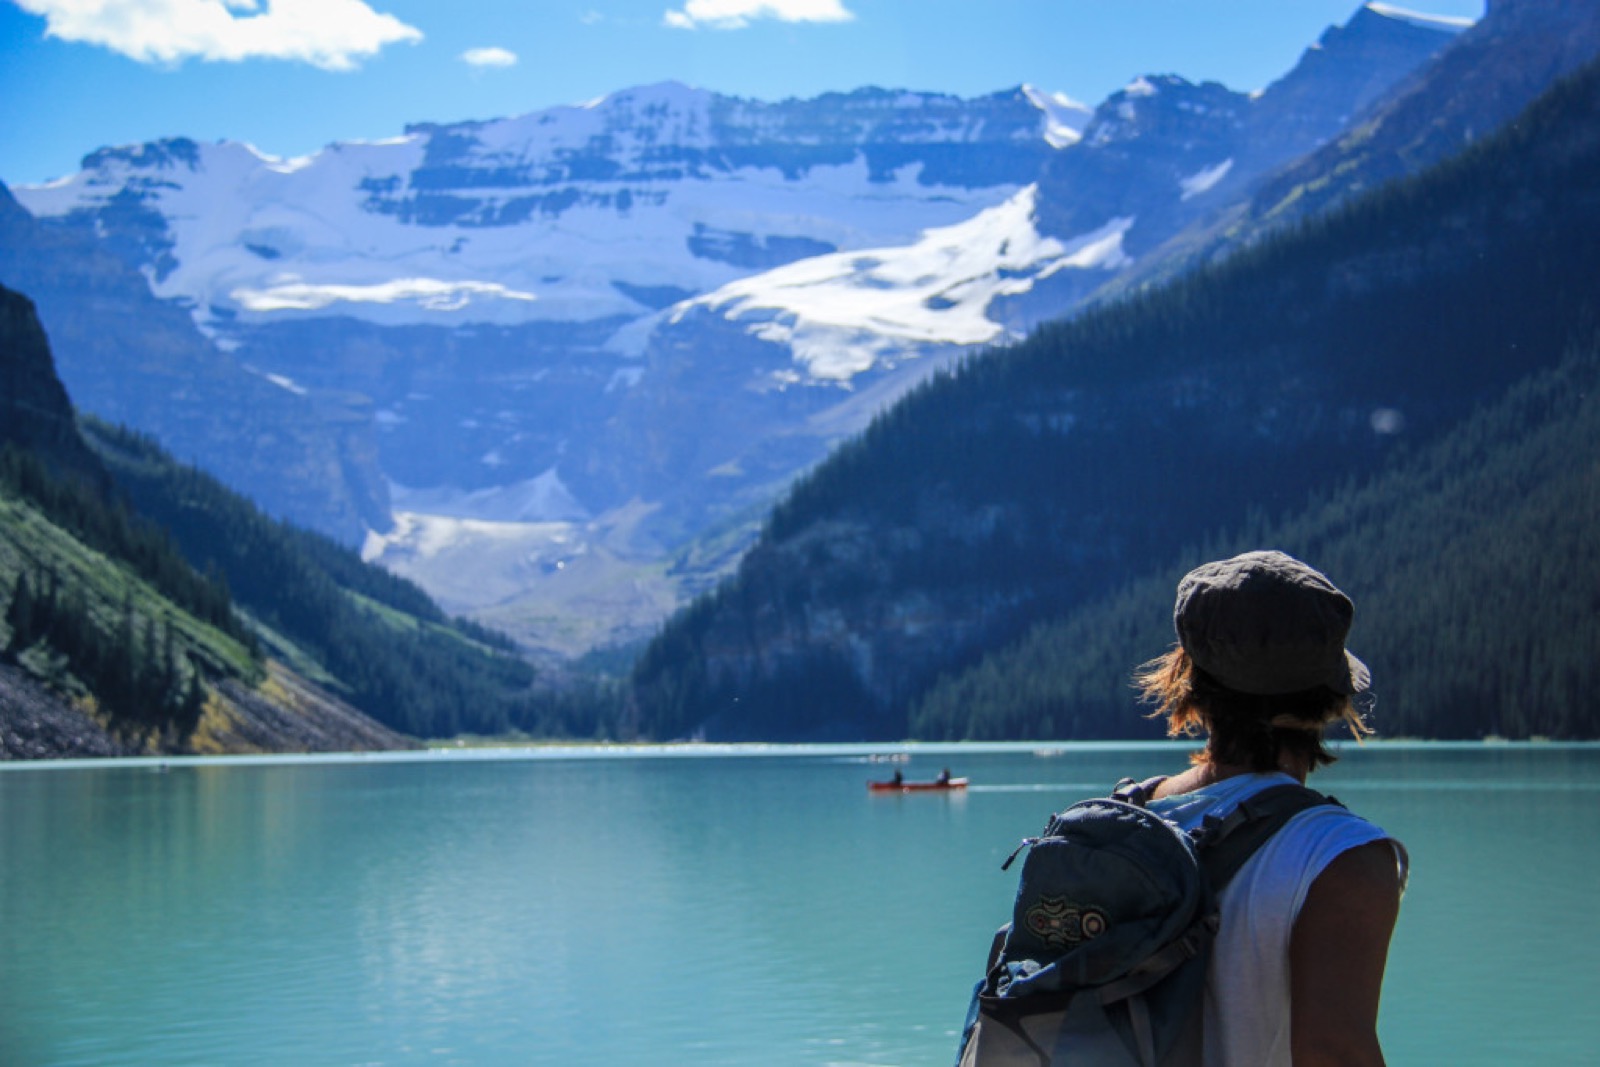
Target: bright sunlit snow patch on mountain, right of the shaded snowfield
(846,313)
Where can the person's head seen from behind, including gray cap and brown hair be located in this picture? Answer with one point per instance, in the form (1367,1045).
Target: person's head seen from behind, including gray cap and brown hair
(1260,663)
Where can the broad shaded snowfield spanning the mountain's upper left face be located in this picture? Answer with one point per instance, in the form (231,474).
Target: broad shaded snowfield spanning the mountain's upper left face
(257,241)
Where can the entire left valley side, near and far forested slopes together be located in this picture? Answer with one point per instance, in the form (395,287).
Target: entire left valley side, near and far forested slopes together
(145,607)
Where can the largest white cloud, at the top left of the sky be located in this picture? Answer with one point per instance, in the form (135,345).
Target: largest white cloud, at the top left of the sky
(330,34)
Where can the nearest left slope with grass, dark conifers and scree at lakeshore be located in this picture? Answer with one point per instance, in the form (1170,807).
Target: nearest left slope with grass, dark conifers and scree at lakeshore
(74,607)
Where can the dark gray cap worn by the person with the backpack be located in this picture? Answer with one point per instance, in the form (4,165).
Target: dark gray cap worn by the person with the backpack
(1265,623)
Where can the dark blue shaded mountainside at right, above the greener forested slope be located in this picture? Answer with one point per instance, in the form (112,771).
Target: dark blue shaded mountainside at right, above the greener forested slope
(1054,474)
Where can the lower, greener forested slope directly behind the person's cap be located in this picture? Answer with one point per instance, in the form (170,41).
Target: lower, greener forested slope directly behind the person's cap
(1473,565)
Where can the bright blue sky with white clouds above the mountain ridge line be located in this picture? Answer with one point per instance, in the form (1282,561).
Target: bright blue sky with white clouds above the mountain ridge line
(292,76)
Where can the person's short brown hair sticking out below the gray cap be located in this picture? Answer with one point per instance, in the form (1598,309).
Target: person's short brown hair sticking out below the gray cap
(1244,729)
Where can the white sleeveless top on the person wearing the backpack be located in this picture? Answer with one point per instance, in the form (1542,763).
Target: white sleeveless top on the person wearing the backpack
(1250,964)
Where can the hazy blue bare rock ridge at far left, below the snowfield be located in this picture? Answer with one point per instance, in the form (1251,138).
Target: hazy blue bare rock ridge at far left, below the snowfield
(134,359)
